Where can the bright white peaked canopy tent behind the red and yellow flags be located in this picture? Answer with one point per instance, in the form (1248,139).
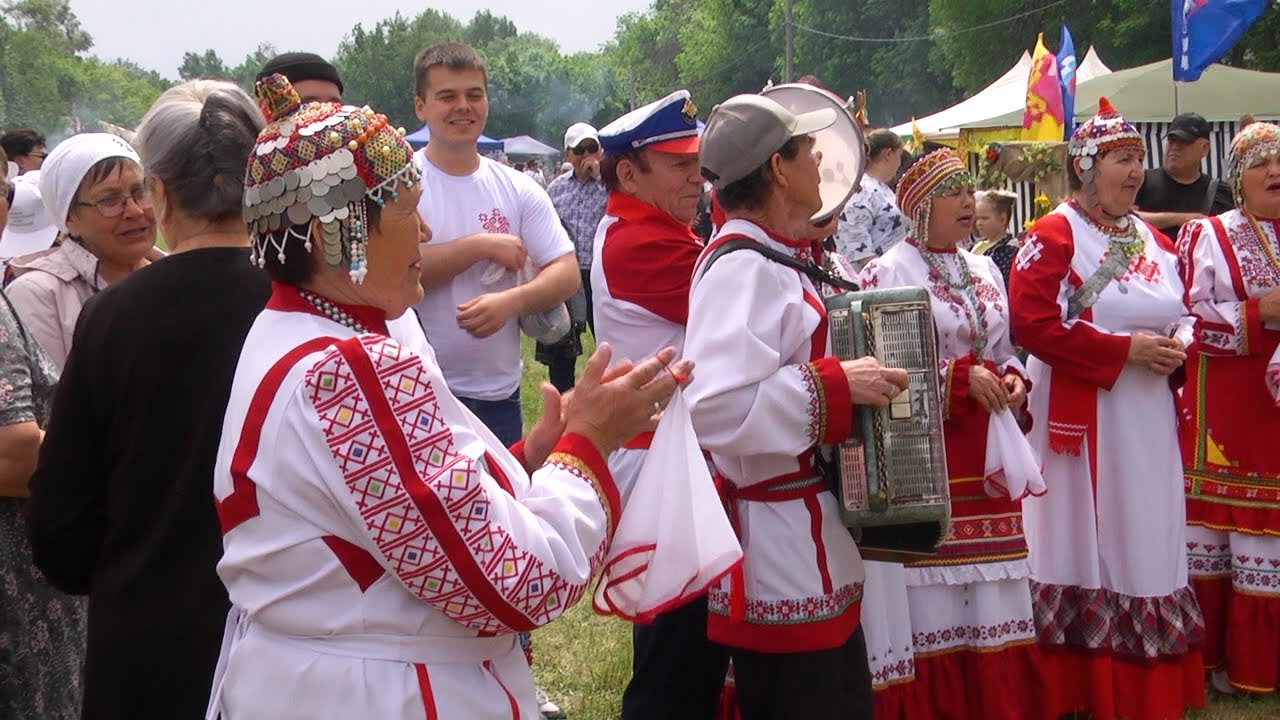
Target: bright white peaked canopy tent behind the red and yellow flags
(1008,94)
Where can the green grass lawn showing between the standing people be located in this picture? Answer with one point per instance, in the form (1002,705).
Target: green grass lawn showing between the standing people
(584,660)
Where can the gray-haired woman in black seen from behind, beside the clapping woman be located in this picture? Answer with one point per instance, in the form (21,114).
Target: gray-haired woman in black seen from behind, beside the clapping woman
(122,504)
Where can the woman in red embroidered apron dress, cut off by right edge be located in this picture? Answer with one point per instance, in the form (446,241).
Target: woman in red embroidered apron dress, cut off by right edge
(1232,271)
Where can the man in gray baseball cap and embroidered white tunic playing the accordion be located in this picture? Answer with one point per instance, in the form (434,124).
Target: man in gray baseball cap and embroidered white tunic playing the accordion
(767,393)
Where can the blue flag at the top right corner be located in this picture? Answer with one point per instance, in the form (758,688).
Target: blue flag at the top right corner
(1205,30)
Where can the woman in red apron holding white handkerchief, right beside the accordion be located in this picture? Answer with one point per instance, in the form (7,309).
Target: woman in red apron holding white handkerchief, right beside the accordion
(972,623)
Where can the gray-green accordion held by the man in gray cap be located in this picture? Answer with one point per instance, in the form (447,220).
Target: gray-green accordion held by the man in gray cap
(890,477)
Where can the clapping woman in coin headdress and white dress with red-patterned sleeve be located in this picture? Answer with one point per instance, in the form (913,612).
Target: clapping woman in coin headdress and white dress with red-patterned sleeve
(382,548)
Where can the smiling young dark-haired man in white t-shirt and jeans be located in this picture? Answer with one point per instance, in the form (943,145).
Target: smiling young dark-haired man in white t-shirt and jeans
(484,218)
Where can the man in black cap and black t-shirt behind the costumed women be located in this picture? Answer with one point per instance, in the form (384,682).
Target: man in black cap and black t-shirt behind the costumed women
(1180,193)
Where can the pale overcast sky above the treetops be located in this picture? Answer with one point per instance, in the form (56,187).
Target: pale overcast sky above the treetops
(156,34)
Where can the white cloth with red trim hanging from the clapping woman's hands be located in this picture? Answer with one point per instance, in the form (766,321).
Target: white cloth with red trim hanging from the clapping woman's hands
(674,540)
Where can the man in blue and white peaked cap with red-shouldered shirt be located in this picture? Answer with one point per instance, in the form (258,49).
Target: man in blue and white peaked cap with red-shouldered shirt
(643,261)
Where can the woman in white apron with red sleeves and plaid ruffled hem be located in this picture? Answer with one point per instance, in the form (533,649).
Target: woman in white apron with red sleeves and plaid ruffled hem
(1098,300)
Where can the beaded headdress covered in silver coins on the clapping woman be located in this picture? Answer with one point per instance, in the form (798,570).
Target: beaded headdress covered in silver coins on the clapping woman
(326,162)
